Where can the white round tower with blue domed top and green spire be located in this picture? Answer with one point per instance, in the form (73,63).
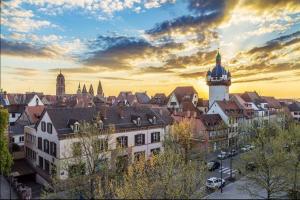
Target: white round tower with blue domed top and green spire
(218,81)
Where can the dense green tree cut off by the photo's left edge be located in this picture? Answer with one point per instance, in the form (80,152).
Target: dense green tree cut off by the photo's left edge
(5,156)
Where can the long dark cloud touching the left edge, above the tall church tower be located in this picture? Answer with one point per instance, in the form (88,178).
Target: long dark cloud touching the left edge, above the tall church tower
(26,50)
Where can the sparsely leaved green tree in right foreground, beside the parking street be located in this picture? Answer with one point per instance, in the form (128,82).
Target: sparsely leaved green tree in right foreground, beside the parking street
(269,159)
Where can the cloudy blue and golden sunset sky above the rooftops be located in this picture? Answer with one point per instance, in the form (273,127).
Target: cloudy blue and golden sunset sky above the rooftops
(150,45)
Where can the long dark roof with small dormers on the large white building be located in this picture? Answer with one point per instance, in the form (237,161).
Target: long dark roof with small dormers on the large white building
(120,116)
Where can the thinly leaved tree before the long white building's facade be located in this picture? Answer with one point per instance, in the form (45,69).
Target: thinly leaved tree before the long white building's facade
(87,162)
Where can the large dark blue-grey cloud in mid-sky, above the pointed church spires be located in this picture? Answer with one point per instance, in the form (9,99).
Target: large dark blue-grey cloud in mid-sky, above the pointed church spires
(113,52)
